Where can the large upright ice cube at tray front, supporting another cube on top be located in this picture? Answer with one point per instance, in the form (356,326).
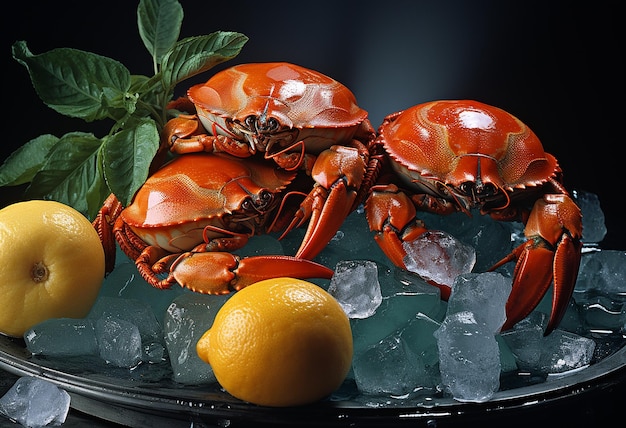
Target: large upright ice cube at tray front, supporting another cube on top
(469,359)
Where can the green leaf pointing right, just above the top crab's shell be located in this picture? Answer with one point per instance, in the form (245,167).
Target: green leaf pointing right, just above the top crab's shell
(195,55)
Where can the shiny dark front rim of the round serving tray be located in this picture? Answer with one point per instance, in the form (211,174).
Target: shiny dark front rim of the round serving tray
(160,403)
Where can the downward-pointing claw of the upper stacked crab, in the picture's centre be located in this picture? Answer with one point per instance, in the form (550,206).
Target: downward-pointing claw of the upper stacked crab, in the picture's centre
(338,173)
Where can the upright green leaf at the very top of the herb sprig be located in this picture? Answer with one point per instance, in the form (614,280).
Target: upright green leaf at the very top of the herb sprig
(159,23)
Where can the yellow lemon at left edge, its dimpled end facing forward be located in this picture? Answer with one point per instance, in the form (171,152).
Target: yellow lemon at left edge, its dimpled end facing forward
(52,264)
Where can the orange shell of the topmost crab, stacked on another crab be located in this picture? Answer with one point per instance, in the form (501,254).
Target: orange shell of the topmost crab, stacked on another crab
(324,110)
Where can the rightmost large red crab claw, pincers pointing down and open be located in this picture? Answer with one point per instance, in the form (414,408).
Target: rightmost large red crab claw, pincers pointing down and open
(551,255)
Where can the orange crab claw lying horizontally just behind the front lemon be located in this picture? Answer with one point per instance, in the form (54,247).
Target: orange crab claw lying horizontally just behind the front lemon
(222,273)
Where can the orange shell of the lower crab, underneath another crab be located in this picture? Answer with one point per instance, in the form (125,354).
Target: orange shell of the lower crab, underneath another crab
(173,207)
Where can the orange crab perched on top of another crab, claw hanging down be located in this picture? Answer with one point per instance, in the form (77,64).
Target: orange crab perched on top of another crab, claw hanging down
(298,118)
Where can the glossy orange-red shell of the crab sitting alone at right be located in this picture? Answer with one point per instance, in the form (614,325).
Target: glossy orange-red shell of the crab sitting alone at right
(457,142)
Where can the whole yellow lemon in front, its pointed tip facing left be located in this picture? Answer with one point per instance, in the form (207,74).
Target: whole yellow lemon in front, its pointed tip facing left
(279,342)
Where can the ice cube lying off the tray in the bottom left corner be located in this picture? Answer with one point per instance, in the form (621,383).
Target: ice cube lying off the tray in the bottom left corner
(35,403)
